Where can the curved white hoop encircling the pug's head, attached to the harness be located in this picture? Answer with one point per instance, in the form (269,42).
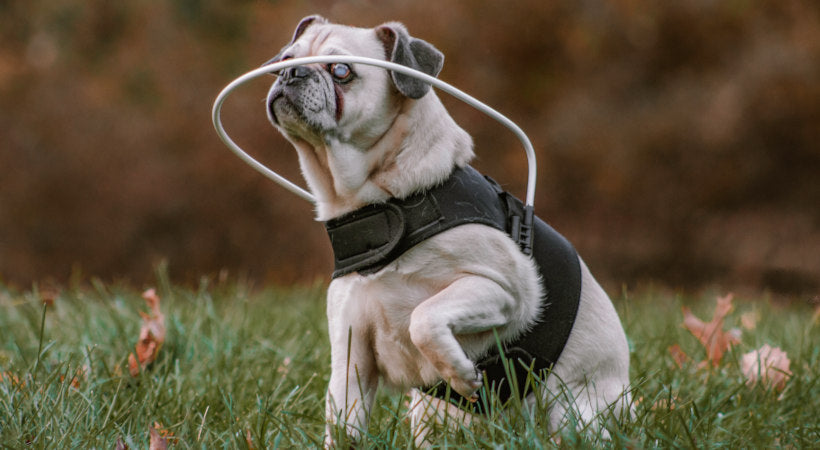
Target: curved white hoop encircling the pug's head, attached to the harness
(455,92)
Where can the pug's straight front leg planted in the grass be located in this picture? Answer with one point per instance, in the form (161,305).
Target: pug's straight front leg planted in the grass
(353,379)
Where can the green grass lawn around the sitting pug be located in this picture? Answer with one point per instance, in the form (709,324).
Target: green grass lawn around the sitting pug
(239,361)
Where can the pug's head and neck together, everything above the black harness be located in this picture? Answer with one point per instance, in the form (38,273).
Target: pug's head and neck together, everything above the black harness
(354,124)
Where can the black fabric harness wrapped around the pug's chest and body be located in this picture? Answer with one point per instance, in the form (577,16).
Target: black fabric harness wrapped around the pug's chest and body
(368,239)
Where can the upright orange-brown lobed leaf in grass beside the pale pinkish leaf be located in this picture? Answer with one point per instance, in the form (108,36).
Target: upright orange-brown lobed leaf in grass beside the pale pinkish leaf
(711,334)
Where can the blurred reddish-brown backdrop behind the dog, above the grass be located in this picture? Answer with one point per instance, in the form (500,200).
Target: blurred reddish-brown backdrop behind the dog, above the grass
(678,142)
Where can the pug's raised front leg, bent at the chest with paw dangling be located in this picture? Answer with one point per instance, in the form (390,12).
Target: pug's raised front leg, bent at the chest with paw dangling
(471,305)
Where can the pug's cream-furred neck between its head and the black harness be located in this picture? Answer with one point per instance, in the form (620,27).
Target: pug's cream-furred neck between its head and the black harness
(419,150)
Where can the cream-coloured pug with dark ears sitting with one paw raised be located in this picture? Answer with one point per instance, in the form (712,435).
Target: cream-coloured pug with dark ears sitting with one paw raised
(364,136)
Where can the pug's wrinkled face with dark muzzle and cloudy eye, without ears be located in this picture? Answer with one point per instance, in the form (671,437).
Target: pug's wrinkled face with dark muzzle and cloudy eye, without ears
(319,103)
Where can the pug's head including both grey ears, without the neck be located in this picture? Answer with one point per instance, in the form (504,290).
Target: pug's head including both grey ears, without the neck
(324,99)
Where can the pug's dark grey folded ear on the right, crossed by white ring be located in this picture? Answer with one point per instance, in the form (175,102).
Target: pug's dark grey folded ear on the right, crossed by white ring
(401,48)
